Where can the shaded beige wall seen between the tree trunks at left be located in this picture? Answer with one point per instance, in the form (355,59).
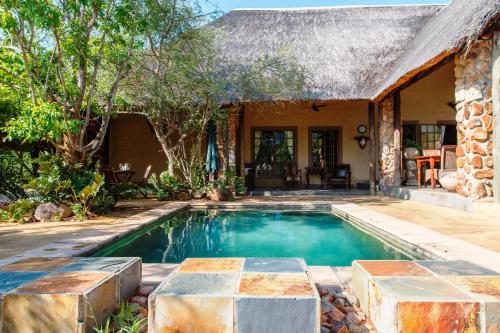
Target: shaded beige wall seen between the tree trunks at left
(132,140)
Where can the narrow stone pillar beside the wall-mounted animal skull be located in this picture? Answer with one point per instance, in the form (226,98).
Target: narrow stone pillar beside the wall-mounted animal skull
(386,134)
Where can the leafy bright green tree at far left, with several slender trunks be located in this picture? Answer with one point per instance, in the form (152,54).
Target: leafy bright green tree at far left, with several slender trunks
(70,57)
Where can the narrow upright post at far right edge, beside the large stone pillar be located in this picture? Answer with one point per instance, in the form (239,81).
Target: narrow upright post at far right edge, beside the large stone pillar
(496,116)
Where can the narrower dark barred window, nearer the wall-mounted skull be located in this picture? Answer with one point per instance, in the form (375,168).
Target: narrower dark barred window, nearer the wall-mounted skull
(324,147)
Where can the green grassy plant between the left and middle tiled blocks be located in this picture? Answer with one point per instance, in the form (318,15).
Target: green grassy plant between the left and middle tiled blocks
(125,320)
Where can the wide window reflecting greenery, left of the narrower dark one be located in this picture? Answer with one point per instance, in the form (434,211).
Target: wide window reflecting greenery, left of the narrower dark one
(274,146)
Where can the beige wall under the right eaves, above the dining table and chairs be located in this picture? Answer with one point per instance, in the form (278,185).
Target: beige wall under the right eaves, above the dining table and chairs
(427,100)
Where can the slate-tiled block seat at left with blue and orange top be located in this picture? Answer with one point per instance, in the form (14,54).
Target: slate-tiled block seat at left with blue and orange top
(63,294)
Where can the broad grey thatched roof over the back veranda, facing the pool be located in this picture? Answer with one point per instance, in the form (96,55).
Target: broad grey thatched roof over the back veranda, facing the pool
(348,51)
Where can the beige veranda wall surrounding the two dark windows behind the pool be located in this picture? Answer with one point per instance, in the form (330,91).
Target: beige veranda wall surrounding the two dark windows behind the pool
(348,115)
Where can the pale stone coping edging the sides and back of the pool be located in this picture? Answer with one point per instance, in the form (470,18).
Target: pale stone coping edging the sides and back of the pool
(396,232)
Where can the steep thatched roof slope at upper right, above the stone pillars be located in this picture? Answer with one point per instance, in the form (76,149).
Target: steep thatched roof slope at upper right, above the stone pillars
(456,26)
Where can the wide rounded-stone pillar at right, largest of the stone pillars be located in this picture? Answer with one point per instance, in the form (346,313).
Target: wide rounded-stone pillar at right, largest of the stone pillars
(473,95)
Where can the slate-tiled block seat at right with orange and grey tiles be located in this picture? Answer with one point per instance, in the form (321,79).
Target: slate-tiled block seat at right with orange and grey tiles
(428,296)
